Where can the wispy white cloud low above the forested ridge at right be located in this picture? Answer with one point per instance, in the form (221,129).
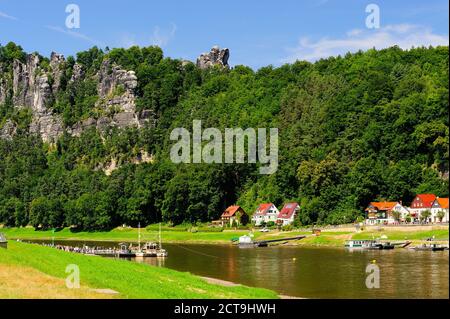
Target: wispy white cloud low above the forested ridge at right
(405,36)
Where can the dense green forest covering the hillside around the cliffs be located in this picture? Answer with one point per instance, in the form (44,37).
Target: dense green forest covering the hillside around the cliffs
(352,129)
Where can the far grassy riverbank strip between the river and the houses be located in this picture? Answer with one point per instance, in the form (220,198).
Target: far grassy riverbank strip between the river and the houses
(329,237)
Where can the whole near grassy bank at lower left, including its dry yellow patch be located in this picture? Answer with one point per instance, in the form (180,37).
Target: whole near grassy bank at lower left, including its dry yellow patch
(32,271)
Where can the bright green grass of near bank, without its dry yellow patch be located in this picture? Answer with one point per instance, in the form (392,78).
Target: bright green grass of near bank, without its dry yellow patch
(131,280)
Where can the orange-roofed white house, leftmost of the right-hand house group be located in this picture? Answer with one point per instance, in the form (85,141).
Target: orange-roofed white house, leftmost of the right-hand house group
(382,213)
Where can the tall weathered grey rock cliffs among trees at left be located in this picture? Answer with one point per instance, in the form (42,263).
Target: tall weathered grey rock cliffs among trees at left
(35,87)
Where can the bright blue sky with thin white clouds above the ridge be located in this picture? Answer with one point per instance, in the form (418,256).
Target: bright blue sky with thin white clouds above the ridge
(257,32)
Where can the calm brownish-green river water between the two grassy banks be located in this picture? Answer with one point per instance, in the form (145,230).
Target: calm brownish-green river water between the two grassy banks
(313,272)
